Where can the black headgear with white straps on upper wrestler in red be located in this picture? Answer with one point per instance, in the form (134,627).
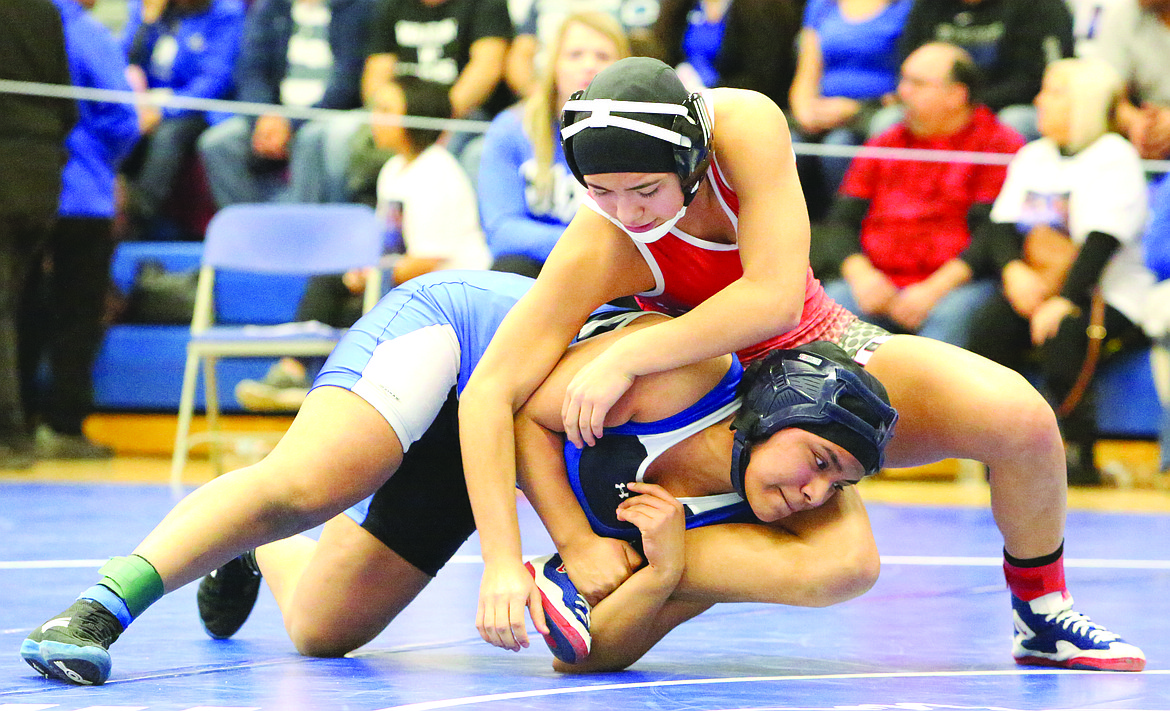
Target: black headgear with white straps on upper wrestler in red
(637,118)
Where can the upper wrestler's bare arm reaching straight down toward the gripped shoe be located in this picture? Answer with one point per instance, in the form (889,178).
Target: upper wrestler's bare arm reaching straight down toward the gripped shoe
(589,266)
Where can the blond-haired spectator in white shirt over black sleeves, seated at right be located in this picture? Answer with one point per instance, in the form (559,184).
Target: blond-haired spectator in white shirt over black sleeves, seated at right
(1079,197)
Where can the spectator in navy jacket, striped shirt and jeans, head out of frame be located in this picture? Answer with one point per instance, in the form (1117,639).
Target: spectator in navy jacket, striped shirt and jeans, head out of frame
(295,53)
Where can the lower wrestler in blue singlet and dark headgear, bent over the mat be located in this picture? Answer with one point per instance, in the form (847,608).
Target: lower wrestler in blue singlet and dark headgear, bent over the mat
(375,452)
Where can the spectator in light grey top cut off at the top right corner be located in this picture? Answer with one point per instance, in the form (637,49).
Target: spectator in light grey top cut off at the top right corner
(1135,39)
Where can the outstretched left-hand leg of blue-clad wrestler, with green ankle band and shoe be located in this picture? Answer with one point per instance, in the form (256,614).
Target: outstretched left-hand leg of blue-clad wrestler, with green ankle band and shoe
(339,451)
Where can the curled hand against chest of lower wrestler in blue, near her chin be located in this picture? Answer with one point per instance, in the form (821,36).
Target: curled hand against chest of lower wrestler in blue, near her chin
(663,522)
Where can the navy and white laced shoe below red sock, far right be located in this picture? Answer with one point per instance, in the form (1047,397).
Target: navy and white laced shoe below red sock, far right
(1050,634)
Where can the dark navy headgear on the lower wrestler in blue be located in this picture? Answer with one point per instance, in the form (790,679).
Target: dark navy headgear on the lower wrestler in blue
(820,389)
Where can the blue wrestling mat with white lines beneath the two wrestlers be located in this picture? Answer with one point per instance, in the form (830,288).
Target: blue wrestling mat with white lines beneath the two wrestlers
(934,633)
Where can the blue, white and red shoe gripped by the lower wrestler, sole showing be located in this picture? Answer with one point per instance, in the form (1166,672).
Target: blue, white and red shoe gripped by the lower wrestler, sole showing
(566,611)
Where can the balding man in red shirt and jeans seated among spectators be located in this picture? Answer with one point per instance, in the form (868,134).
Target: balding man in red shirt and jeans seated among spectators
(913,234)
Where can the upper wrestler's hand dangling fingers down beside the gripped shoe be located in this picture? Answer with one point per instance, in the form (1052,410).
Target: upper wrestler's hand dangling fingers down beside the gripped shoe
(505,591)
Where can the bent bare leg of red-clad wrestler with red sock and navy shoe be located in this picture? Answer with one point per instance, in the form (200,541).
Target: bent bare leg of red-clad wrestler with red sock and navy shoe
(955,404)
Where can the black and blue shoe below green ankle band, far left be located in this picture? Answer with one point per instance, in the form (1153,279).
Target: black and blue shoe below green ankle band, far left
(73,647)
